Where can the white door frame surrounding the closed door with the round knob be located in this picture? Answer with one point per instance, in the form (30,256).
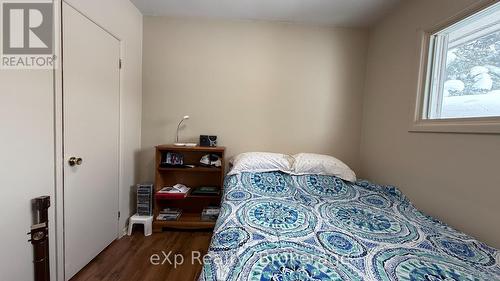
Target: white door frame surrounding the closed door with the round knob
(59,161)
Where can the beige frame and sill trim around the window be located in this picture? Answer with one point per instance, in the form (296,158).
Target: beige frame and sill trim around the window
(421,104)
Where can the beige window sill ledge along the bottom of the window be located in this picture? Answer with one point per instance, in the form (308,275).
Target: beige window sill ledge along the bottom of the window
(486,125)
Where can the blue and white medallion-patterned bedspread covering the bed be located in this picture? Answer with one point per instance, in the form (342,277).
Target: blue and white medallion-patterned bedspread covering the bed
(274,226)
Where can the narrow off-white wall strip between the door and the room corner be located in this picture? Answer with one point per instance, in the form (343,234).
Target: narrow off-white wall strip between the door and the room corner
(121,18)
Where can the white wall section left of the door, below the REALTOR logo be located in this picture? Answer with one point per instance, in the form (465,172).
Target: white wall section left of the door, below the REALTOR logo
(26,165)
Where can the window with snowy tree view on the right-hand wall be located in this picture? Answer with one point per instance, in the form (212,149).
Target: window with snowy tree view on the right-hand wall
(461,77)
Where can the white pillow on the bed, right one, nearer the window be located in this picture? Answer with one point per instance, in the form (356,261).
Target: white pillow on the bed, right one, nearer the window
(319,164)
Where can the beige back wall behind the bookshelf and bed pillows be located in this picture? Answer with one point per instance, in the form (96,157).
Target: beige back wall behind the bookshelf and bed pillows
(258,86)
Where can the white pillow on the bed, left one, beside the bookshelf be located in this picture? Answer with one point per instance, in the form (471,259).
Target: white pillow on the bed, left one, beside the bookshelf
(261,162)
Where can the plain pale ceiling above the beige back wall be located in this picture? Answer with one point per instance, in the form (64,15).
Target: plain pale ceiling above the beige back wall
(320,12)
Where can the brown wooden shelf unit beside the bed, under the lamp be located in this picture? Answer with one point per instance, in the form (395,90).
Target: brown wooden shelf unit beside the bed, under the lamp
(192,205)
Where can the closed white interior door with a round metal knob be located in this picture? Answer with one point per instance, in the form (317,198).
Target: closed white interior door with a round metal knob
(91,132)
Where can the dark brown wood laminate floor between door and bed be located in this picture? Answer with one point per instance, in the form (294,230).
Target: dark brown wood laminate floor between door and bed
(128,259)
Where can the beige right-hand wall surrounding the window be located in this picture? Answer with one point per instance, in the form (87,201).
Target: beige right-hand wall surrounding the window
(454,177)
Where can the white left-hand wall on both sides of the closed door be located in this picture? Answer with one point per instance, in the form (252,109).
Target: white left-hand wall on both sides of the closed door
(27,137)
